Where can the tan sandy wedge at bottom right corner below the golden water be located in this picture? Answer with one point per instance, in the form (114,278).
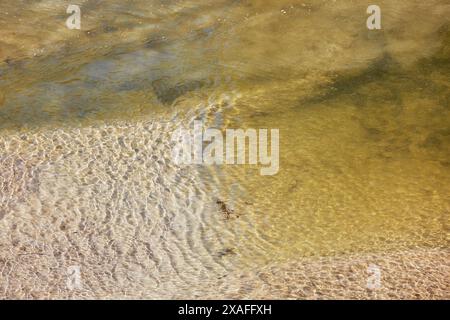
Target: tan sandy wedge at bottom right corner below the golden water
(411,274)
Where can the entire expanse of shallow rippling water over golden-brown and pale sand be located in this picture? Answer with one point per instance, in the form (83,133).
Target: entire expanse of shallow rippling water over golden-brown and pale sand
(87,177)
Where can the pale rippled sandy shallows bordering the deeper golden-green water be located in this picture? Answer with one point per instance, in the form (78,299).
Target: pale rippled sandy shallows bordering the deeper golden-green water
(123,225)
